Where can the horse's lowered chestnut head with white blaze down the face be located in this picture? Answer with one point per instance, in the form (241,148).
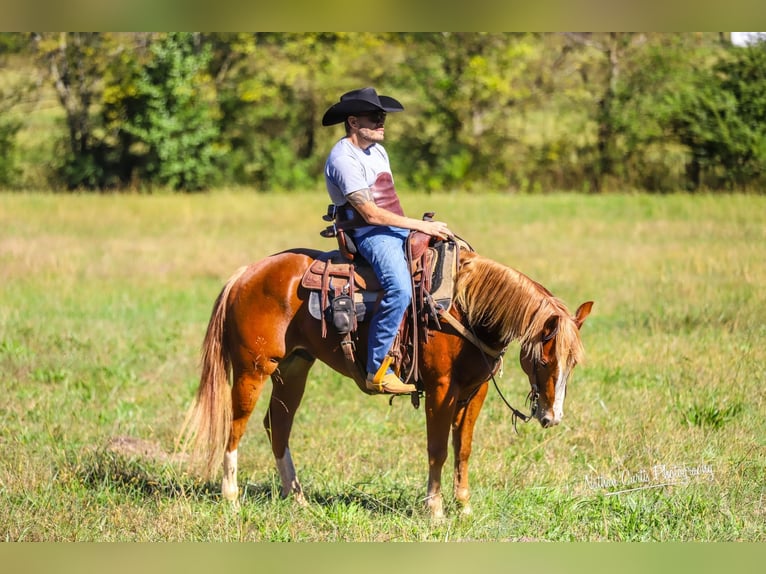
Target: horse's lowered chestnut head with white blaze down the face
(548,373)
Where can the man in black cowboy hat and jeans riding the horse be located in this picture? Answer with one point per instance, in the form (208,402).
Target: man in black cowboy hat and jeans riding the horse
(360,184)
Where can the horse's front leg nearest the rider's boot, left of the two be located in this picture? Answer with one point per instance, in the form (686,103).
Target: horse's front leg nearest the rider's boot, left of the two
(440,407)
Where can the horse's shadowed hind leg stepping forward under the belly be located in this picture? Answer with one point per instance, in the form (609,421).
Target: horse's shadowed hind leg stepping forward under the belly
(289,384)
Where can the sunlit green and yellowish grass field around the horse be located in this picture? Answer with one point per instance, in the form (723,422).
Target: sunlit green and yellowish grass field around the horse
(104,301)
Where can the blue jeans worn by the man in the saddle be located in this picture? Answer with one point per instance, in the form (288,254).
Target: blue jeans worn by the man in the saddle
(383,248)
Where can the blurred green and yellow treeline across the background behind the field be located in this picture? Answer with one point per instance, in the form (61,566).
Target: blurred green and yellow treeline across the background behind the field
(510,112)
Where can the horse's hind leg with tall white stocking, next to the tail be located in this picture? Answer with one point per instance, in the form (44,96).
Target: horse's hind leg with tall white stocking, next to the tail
(247,387)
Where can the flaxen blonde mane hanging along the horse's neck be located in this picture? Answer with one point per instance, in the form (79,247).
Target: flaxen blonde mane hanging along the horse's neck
(512,306)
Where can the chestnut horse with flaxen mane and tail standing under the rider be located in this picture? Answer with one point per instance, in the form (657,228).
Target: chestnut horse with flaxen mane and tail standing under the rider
(261,327)
